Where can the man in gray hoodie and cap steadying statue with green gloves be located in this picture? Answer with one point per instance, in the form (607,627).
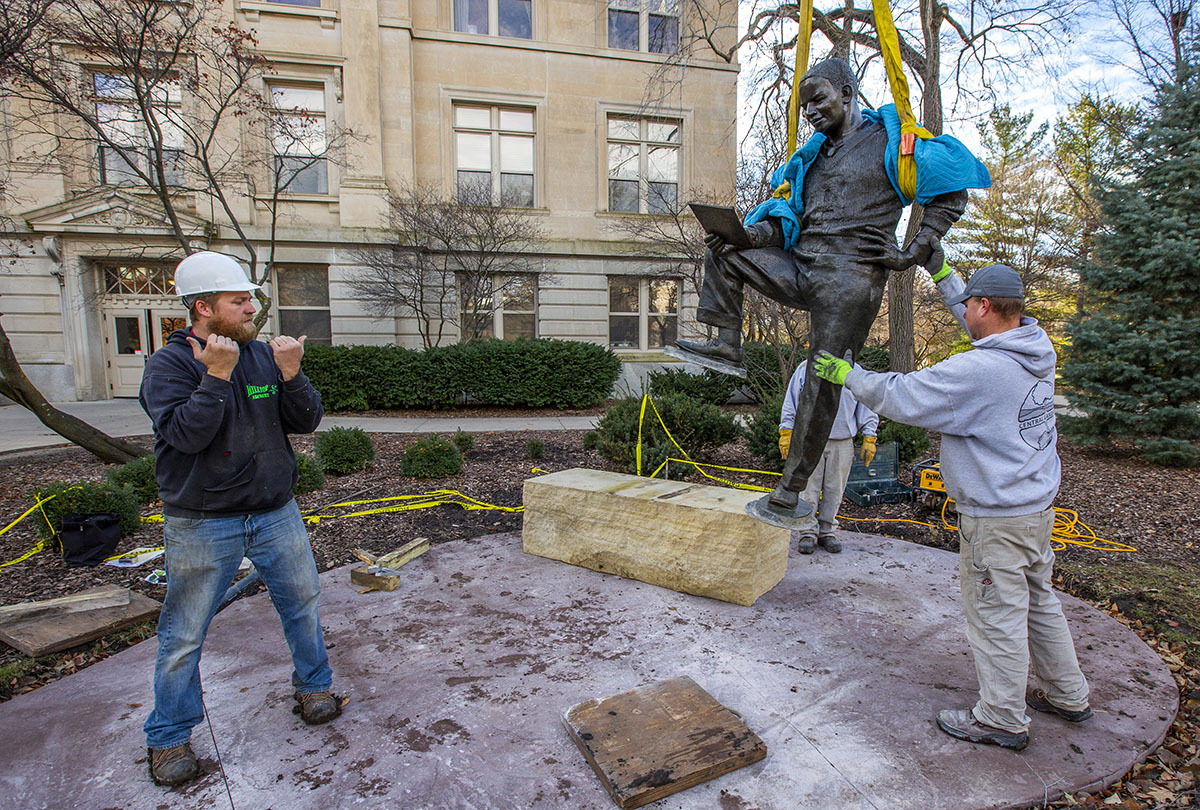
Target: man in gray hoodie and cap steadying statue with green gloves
(994,407)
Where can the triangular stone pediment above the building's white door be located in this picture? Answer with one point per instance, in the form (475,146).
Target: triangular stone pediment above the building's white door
(110,212)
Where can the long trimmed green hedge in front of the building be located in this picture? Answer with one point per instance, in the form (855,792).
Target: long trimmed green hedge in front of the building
(517,374)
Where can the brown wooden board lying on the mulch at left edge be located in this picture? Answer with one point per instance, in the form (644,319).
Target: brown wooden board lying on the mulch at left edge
(51,633)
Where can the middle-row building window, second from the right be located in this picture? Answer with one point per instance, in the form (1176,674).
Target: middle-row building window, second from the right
(494,155)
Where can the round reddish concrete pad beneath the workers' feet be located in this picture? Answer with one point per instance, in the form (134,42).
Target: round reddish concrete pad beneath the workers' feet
(458,682)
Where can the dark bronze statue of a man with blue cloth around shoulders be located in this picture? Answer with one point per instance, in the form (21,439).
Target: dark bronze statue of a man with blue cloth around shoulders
(826,244)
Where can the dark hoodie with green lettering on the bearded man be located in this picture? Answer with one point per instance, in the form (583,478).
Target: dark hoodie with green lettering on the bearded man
(221,447)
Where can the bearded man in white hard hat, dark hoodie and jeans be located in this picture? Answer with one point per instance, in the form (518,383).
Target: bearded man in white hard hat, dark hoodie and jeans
(223,406)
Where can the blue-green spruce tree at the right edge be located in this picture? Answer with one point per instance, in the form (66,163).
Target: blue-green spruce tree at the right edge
(1135,363)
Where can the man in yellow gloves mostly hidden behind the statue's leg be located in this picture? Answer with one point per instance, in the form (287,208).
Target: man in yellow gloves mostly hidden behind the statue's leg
(827,484)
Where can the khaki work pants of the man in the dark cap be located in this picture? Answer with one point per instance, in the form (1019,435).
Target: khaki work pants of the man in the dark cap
(1015,619)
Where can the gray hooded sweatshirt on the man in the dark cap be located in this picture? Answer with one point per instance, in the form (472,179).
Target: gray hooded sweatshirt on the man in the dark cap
(994,407)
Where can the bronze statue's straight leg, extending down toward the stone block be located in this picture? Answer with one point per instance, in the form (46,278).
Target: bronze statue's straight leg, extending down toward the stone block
(845,302)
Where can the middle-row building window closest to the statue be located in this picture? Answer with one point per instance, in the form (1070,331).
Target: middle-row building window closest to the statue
(644,165)
